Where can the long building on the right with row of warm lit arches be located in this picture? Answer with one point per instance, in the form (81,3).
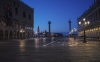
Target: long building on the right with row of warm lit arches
(93,16)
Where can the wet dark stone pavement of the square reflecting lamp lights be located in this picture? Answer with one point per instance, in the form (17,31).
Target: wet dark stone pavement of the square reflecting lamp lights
(49,50)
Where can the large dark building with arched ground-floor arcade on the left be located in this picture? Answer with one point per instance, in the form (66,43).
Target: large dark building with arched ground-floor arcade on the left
(16,20)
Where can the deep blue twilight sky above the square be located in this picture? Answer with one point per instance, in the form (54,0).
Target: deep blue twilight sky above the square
(58,12)
